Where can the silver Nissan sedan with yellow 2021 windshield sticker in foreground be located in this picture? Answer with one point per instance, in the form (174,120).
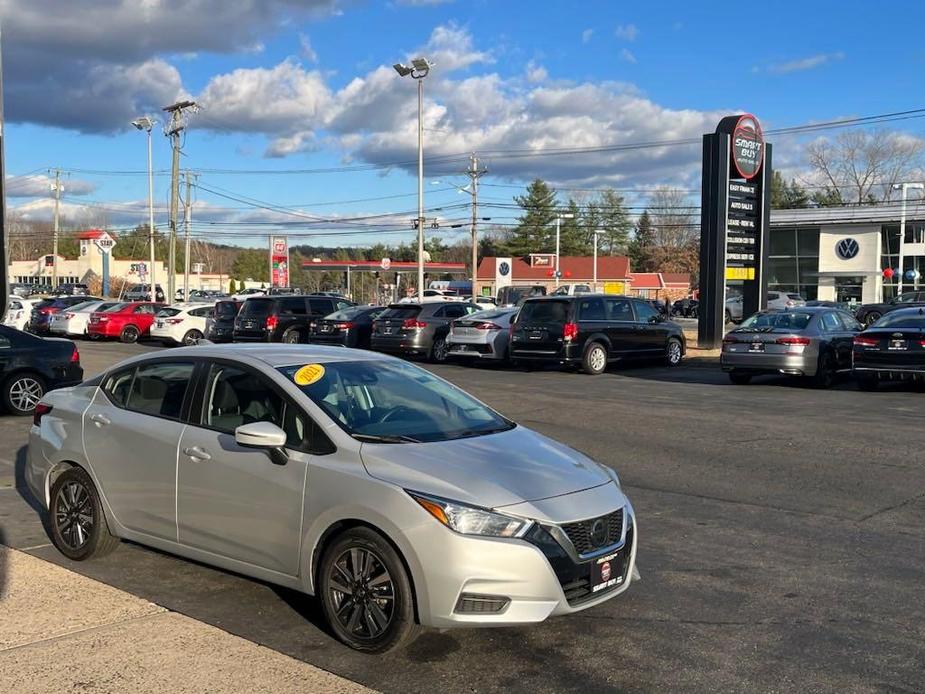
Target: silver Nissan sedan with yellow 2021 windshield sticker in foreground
(392,495)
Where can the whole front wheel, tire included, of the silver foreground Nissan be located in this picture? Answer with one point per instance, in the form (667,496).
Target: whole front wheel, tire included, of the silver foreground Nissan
(365,592)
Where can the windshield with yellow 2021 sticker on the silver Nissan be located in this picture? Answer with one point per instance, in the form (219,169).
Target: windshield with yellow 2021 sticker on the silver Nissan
(386,401)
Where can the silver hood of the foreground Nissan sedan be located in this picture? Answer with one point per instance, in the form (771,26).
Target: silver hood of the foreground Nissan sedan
(495,470)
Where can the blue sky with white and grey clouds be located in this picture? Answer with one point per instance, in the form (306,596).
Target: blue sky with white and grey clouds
(305,84)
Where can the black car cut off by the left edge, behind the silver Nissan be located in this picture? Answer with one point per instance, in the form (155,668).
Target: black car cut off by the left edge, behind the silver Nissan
(30,366)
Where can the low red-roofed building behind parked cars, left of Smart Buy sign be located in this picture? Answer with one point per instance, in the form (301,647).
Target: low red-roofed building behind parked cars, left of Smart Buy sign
(613,275)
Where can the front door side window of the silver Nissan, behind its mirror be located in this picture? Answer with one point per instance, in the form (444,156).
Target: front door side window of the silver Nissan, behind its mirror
(235,397)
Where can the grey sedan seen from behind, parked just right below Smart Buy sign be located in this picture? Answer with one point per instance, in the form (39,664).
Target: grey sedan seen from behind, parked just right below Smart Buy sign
(813,342)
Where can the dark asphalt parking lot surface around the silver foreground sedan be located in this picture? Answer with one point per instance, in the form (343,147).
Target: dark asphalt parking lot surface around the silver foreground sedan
(781,544)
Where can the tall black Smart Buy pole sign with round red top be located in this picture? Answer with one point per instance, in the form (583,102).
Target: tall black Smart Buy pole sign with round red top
(735,216)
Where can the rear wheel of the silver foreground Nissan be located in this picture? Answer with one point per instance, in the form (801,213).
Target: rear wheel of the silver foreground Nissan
(77,525)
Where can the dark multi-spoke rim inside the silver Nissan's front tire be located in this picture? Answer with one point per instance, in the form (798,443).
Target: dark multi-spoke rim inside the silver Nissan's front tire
(362,593)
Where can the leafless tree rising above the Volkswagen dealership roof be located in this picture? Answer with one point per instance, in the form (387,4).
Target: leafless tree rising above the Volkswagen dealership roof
(864,165)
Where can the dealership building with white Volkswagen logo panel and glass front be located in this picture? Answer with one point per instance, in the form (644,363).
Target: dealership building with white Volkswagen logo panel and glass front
(841,253)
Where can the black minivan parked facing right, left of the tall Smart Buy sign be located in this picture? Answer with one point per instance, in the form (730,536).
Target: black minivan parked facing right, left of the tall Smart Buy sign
(591,330)
